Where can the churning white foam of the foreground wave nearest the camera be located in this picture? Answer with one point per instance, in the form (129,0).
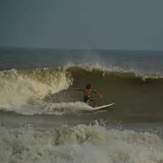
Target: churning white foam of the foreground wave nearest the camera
(82,144)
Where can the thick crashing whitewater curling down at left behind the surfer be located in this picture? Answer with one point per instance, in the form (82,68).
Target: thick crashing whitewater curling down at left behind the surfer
(26,86)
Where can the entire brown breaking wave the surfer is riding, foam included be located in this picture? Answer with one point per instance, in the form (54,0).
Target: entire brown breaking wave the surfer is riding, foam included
(53,91)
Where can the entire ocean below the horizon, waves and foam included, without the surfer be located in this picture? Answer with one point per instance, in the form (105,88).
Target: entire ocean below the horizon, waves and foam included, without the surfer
(43,117)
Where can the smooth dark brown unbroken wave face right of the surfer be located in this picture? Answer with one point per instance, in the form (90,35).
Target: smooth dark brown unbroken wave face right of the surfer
(135,95)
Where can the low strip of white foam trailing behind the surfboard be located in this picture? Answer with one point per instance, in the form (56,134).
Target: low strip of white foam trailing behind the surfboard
(43,108)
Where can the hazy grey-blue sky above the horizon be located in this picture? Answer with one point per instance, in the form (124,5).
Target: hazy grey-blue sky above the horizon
(82,24)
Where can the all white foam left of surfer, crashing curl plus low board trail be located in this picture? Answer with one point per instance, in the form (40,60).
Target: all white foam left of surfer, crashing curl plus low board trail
(22,92)
